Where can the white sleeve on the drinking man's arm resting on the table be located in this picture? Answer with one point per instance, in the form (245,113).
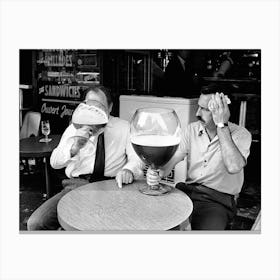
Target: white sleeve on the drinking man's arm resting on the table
(134,163)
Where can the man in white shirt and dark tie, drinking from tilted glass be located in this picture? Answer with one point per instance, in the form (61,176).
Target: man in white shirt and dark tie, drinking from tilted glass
(120,161)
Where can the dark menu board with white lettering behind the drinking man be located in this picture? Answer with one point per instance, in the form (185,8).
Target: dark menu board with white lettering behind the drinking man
(63,76)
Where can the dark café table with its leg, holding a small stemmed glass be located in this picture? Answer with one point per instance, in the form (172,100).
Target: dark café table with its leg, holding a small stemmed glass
(31,147)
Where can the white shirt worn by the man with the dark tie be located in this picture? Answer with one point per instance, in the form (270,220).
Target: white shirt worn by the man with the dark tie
(119,153)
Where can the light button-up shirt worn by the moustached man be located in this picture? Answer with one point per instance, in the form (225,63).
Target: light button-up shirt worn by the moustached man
(204,157)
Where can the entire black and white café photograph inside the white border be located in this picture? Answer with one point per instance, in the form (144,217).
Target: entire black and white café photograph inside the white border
(164,140)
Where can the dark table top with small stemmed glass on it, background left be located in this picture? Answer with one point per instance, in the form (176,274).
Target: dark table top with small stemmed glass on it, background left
(31,147)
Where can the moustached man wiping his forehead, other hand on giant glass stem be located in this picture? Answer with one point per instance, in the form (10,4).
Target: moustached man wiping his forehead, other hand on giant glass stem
(217,152)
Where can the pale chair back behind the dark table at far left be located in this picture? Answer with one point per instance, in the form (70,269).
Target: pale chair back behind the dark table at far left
(31,124)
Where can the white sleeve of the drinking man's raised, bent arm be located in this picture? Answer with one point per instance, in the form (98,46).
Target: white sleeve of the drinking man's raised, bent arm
(60,156)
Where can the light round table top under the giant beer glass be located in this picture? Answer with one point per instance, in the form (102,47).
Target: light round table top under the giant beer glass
(103,206)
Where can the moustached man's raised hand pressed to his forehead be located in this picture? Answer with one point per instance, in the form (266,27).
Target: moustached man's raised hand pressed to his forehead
(218,105)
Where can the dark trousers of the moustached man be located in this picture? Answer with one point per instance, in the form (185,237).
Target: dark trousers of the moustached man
(212,210)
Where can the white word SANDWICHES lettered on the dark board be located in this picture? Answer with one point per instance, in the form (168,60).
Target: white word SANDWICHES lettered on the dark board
(72,92)
